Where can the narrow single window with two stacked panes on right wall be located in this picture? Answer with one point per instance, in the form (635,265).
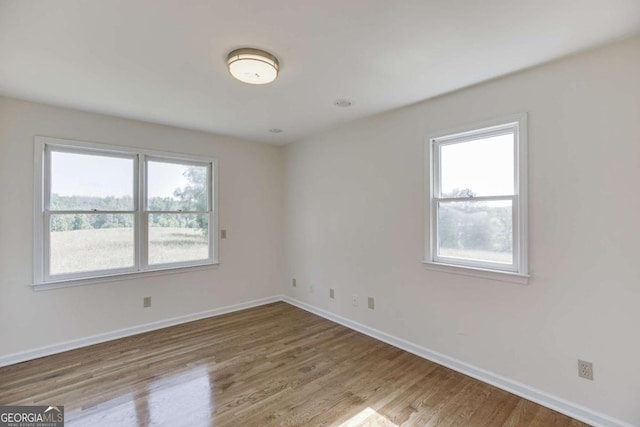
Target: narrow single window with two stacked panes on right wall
(478,199)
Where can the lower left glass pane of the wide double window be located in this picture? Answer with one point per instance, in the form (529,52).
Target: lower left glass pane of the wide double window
(90,242)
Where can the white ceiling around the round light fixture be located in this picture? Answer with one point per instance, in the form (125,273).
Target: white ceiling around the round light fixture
(164,60)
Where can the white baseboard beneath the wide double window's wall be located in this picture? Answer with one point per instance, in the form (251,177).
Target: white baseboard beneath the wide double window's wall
(121,333)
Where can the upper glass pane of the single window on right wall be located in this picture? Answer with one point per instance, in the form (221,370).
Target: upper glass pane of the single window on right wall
(481,167)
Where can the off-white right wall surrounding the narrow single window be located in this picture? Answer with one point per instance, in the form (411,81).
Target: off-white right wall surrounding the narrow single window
(354,218)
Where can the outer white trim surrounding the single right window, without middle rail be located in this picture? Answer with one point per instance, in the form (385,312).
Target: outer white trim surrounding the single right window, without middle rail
(520,272)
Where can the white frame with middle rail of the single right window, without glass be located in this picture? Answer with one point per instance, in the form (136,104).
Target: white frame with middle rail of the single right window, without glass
(518,270)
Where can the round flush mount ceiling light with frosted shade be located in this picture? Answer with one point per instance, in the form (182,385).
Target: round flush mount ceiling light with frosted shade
(253,66)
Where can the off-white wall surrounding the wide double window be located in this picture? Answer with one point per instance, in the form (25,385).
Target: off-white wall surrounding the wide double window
(251,200)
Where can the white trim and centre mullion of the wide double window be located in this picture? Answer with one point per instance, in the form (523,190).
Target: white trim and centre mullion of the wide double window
(40,233)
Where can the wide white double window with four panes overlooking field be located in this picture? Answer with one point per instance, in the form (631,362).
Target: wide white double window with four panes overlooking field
(104,211)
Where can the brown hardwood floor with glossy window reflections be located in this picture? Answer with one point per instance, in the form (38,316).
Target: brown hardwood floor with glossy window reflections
(274,365)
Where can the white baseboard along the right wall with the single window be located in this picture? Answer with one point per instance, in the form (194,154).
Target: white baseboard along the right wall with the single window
(545,399)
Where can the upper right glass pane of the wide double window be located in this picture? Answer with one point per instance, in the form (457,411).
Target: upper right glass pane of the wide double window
(174,187)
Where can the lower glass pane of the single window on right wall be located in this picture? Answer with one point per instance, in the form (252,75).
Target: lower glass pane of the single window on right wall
(476,230)
